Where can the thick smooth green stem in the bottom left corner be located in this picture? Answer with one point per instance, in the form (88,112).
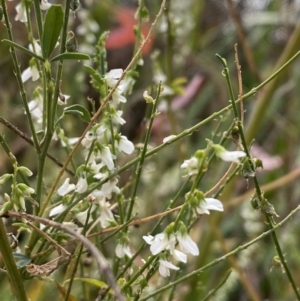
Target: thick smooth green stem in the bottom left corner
(16,282)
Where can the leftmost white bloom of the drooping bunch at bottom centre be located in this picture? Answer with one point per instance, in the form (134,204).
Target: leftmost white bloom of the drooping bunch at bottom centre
(160,242)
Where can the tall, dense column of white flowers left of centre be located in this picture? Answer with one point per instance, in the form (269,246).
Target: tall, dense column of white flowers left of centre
(102,143)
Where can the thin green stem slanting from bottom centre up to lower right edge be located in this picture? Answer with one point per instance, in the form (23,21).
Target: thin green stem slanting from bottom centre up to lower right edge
(218,260)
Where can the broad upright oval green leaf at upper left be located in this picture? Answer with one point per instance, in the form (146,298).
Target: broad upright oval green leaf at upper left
(52,28)
